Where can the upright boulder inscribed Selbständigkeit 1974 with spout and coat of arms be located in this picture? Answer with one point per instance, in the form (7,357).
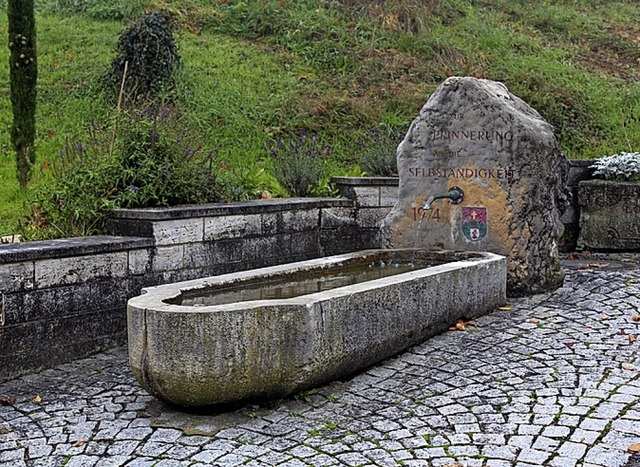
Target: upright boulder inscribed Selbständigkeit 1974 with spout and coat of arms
(496,178)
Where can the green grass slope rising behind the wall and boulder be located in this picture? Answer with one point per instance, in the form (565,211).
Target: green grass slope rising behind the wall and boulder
(256,68)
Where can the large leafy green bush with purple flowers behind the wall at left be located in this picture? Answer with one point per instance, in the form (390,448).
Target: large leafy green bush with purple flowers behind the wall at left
(156,161)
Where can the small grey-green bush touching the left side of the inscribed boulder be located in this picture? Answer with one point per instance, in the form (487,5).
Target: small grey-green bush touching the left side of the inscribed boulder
(378,152)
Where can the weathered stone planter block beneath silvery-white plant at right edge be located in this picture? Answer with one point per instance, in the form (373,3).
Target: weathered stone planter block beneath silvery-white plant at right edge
(609,215)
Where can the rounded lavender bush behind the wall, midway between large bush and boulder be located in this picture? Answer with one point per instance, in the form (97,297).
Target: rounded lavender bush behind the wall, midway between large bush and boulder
(299,162)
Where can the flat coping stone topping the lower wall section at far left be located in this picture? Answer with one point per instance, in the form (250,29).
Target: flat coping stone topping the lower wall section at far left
(65,247)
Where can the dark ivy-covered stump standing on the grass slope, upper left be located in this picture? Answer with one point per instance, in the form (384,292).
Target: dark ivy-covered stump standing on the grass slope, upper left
(151,55)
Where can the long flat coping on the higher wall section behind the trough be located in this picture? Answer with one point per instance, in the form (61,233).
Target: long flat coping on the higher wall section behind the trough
(225,209)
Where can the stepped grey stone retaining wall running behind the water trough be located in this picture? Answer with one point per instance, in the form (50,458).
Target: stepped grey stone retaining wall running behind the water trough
(65,299)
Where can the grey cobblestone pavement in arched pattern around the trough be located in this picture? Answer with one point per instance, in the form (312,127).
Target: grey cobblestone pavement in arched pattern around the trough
(553,381)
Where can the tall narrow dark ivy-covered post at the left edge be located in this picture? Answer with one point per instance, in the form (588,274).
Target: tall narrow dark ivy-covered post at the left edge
(23,71)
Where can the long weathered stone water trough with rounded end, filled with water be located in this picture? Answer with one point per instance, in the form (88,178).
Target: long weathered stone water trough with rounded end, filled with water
(274,331)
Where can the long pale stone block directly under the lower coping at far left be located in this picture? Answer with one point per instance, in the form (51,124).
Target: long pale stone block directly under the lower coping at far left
(79,269)
